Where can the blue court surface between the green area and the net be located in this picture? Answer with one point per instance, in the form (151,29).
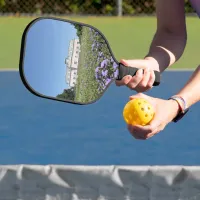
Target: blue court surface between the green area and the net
(40,131)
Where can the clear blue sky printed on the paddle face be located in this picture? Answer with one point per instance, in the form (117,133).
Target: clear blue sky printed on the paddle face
(46,49)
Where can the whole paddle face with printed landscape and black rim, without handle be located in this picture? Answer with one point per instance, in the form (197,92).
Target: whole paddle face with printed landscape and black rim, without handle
(66,61)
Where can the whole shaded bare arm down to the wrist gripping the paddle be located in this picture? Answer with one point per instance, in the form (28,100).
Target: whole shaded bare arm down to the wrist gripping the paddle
(170,39)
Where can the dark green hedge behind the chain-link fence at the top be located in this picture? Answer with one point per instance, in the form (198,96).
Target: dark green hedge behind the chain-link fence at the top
(101,7)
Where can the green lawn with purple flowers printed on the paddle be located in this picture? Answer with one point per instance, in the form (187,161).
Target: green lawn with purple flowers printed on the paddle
(96,67)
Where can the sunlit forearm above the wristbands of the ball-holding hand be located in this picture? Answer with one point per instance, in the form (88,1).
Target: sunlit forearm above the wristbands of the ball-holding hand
(191,91)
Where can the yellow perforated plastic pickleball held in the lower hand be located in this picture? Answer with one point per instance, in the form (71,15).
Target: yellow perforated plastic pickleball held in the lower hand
(138,112)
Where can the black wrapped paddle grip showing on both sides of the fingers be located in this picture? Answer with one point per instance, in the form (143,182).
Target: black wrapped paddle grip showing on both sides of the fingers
(124,71)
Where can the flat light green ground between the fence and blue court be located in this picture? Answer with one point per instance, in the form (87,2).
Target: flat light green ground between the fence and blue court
(128,38)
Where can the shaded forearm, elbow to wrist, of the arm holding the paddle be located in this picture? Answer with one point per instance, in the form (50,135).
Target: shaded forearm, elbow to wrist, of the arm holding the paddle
(166,48)
